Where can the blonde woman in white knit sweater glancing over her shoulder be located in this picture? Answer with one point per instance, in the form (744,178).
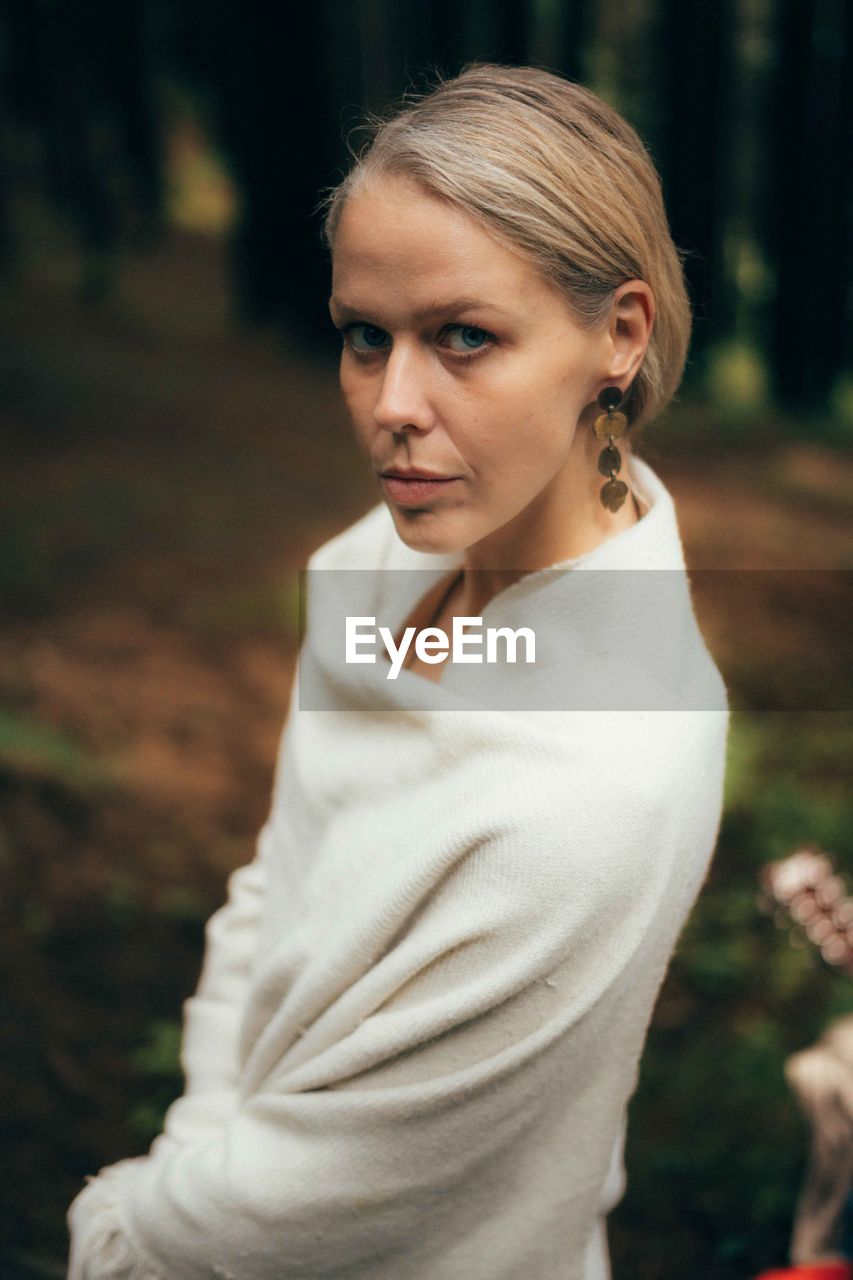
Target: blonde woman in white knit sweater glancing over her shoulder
(423,1005)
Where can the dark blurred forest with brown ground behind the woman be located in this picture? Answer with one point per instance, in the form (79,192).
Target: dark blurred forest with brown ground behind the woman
(174,449)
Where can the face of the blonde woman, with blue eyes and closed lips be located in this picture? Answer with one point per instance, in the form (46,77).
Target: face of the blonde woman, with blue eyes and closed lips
(459,359)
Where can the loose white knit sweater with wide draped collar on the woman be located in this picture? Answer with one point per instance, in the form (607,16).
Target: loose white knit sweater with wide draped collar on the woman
(423,1007)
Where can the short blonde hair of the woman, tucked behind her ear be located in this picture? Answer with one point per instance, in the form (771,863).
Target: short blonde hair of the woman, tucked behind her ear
(551,171)
